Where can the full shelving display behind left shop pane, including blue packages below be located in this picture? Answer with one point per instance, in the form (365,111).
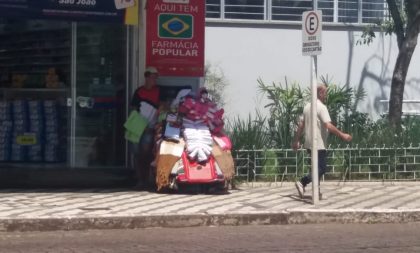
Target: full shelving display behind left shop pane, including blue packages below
(35,58)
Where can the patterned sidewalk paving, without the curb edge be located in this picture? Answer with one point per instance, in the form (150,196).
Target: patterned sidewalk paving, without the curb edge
(70,203)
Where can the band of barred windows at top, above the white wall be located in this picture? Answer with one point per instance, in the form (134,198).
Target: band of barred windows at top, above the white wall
(345,11)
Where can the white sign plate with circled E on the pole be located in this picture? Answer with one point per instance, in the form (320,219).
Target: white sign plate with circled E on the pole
(311,33)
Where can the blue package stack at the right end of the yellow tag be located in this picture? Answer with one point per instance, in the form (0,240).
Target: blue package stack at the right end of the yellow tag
(36,128)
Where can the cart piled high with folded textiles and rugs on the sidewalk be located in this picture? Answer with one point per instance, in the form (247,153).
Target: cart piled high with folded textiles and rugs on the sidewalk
(202,144)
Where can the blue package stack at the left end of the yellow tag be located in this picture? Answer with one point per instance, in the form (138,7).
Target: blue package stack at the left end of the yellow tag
(20,127)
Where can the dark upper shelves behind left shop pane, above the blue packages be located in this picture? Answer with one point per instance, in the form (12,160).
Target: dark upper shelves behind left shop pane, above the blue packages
(34,58)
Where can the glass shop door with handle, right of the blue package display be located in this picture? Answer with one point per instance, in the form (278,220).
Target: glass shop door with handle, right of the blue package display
(98,99)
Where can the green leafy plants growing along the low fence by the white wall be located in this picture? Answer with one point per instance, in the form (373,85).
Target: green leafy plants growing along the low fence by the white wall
(259,136)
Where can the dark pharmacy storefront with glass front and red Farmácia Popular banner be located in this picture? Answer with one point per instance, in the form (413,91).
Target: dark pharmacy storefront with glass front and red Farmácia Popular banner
(68,69)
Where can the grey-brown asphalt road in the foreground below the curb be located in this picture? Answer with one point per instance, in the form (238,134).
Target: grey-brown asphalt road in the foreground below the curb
(325,238)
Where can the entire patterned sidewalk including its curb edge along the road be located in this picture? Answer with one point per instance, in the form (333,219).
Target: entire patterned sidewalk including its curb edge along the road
(258,204)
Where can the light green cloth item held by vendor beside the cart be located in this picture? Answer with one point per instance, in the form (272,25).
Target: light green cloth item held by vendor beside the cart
(134,127)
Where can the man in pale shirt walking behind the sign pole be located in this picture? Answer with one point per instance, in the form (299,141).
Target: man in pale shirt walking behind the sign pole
(322,129)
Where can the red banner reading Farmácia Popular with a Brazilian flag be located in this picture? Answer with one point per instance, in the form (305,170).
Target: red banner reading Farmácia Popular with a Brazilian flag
(175,37)
